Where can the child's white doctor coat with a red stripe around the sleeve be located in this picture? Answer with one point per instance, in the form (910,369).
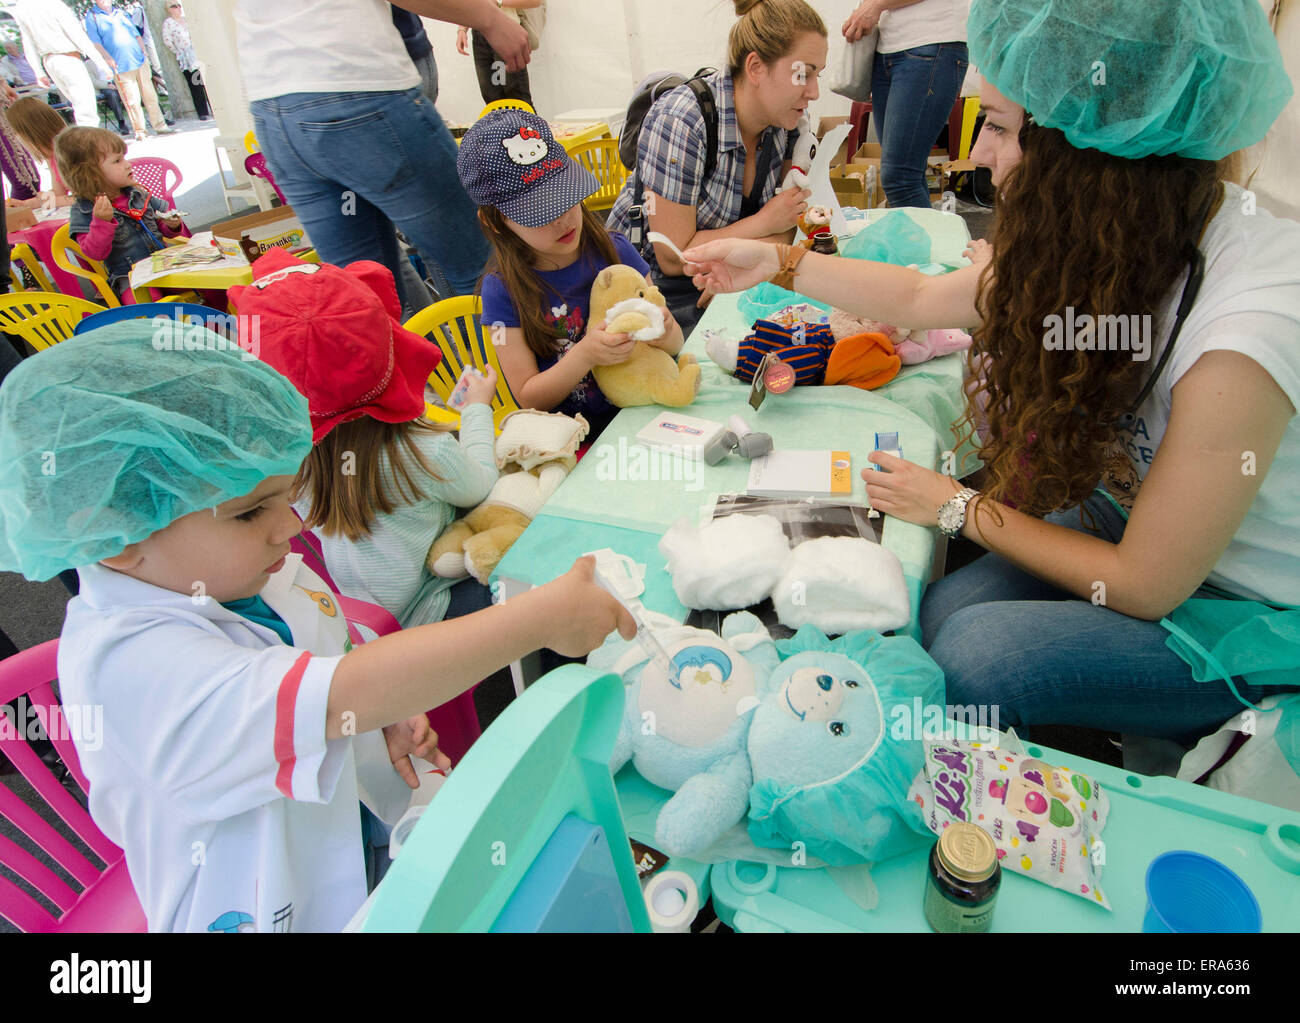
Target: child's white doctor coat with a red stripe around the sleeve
(213,770)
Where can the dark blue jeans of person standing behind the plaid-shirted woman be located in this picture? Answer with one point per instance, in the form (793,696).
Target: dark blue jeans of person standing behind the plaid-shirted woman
(913,93)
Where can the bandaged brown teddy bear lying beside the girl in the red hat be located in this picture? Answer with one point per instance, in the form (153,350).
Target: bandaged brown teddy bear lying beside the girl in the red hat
(535,452)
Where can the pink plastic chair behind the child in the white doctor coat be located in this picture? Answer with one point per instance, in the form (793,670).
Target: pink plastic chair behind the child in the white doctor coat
(107,900)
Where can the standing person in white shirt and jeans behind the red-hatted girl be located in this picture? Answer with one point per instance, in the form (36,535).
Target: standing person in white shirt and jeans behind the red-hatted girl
(357,148)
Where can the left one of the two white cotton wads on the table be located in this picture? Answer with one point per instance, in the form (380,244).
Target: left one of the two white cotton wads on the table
(730,563)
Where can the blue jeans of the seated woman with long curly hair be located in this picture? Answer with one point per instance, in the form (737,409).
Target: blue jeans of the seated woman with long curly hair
(1046,657)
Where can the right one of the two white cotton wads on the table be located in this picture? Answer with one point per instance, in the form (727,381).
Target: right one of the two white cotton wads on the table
(843,584)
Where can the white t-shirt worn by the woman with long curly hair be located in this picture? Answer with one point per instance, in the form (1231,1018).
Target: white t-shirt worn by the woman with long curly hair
(1250,304)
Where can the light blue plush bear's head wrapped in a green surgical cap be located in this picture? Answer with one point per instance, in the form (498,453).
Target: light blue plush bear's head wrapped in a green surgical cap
(834,747)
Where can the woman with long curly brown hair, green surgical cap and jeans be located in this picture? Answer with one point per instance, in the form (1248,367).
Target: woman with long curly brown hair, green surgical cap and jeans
(1136,374)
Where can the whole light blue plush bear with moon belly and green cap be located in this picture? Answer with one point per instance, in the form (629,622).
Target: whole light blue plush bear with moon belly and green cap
(799,735)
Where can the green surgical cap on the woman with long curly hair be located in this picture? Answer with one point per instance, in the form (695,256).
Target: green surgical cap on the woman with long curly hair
(1195,79)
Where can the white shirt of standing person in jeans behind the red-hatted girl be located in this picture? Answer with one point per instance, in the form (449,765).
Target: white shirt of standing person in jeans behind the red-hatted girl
(320,46)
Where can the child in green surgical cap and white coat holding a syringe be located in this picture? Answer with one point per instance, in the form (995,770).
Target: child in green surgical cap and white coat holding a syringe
(241,729)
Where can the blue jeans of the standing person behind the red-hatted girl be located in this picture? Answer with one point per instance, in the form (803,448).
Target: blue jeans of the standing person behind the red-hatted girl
(356,164)
